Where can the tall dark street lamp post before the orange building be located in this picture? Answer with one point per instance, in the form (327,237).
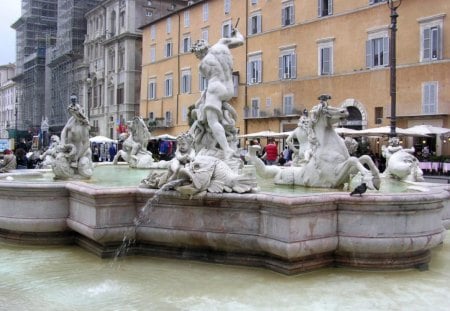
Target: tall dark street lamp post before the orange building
(393,6)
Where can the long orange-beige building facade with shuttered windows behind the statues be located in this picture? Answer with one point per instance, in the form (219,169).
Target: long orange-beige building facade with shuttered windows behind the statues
(296,50)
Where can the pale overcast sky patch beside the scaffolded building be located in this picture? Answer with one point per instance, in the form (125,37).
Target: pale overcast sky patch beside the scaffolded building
(9,13)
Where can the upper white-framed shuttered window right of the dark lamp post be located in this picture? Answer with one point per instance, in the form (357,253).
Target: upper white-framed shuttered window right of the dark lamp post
(431,38)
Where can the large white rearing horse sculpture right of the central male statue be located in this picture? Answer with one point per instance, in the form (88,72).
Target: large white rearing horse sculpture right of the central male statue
(330,164)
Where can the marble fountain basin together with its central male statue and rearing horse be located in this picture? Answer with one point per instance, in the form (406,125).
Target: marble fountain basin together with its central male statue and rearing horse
(207,207)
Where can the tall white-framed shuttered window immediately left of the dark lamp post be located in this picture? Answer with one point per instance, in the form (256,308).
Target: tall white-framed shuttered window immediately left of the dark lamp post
(377,49)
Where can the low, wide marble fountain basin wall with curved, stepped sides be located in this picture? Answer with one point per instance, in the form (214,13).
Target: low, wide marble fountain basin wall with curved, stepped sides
(290,232)
